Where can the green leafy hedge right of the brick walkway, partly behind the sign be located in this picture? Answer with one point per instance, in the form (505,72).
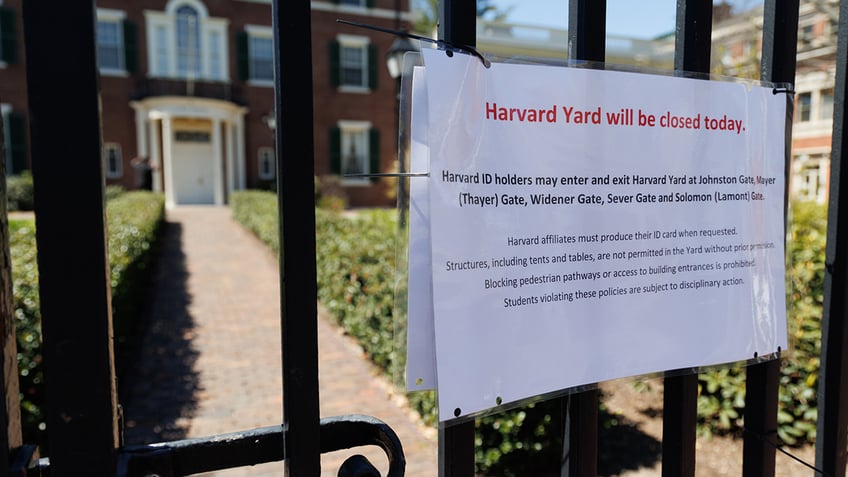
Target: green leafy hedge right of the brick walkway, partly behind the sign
(355,261)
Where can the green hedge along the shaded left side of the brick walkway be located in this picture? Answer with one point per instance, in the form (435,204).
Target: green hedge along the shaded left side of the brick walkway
(134,220)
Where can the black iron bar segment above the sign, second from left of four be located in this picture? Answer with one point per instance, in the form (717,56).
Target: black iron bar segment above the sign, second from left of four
(587,29)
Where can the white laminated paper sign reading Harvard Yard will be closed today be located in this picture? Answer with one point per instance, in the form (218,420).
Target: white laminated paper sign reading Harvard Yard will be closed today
(589,225)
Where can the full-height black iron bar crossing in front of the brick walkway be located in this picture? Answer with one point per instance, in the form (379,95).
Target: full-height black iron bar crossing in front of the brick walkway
(296,201)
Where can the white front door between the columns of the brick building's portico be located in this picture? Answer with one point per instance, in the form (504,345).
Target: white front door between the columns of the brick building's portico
(193,168)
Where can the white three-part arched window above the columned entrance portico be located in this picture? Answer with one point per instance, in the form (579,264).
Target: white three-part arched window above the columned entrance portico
(211,30)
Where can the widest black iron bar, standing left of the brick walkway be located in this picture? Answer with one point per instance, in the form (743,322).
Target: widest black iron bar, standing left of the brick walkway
(64,106)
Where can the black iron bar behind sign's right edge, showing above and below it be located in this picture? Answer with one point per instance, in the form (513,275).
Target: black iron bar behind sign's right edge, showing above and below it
(780,38)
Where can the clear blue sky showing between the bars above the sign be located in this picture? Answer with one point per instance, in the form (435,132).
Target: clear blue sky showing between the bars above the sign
(634,18)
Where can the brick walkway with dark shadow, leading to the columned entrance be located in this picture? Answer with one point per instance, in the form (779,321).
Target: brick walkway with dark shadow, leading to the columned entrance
(210,362)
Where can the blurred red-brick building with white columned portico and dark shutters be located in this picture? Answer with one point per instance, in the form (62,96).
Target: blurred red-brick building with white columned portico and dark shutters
(188,85)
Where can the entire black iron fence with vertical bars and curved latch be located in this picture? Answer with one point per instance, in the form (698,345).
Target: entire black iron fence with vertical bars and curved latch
(82,411)
